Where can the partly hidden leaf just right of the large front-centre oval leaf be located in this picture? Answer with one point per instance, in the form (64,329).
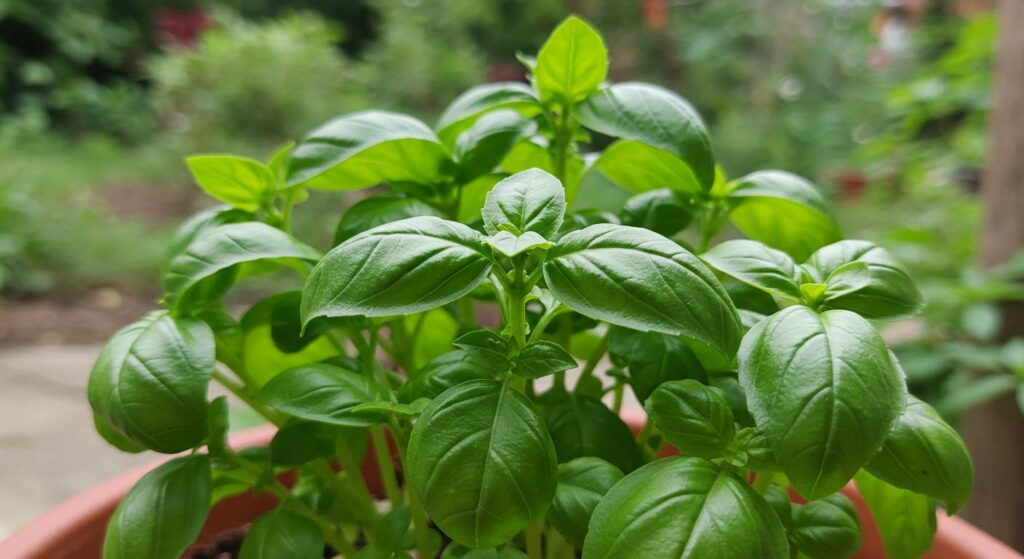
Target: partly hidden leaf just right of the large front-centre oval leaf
(582,485)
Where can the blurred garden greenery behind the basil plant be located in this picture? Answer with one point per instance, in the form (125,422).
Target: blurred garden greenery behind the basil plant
(883,105)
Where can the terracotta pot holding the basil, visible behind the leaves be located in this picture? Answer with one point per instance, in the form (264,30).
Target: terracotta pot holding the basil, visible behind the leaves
(75,529)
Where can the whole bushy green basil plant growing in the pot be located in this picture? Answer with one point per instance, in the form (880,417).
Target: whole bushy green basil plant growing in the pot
(757,359)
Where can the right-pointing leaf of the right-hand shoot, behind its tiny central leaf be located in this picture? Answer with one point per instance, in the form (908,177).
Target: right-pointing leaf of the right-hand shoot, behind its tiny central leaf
(888,292)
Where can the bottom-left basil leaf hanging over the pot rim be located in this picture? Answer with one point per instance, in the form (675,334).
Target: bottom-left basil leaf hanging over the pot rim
(163,514)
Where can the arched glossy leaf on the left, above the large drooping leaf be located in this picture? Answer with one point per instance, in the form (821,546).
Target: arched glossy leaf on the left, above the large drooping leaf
(224,248)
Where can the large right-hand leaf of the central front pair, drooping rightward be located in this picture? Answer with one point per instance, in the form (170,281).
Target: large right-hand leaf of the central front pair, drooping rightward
(637,279)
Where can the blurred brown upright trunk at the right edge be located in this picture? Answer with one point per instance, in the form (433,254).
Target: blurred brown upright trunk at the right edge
(996,432)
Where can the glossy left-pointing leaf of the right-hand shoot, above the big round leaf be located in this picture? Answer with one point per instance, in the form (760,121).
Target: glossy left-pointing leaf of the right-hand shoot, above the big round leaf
(754,264)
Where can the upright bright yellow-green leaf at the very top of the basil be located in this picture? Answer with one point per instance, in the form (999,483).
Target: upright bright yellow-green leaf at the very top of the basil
(572,64)
